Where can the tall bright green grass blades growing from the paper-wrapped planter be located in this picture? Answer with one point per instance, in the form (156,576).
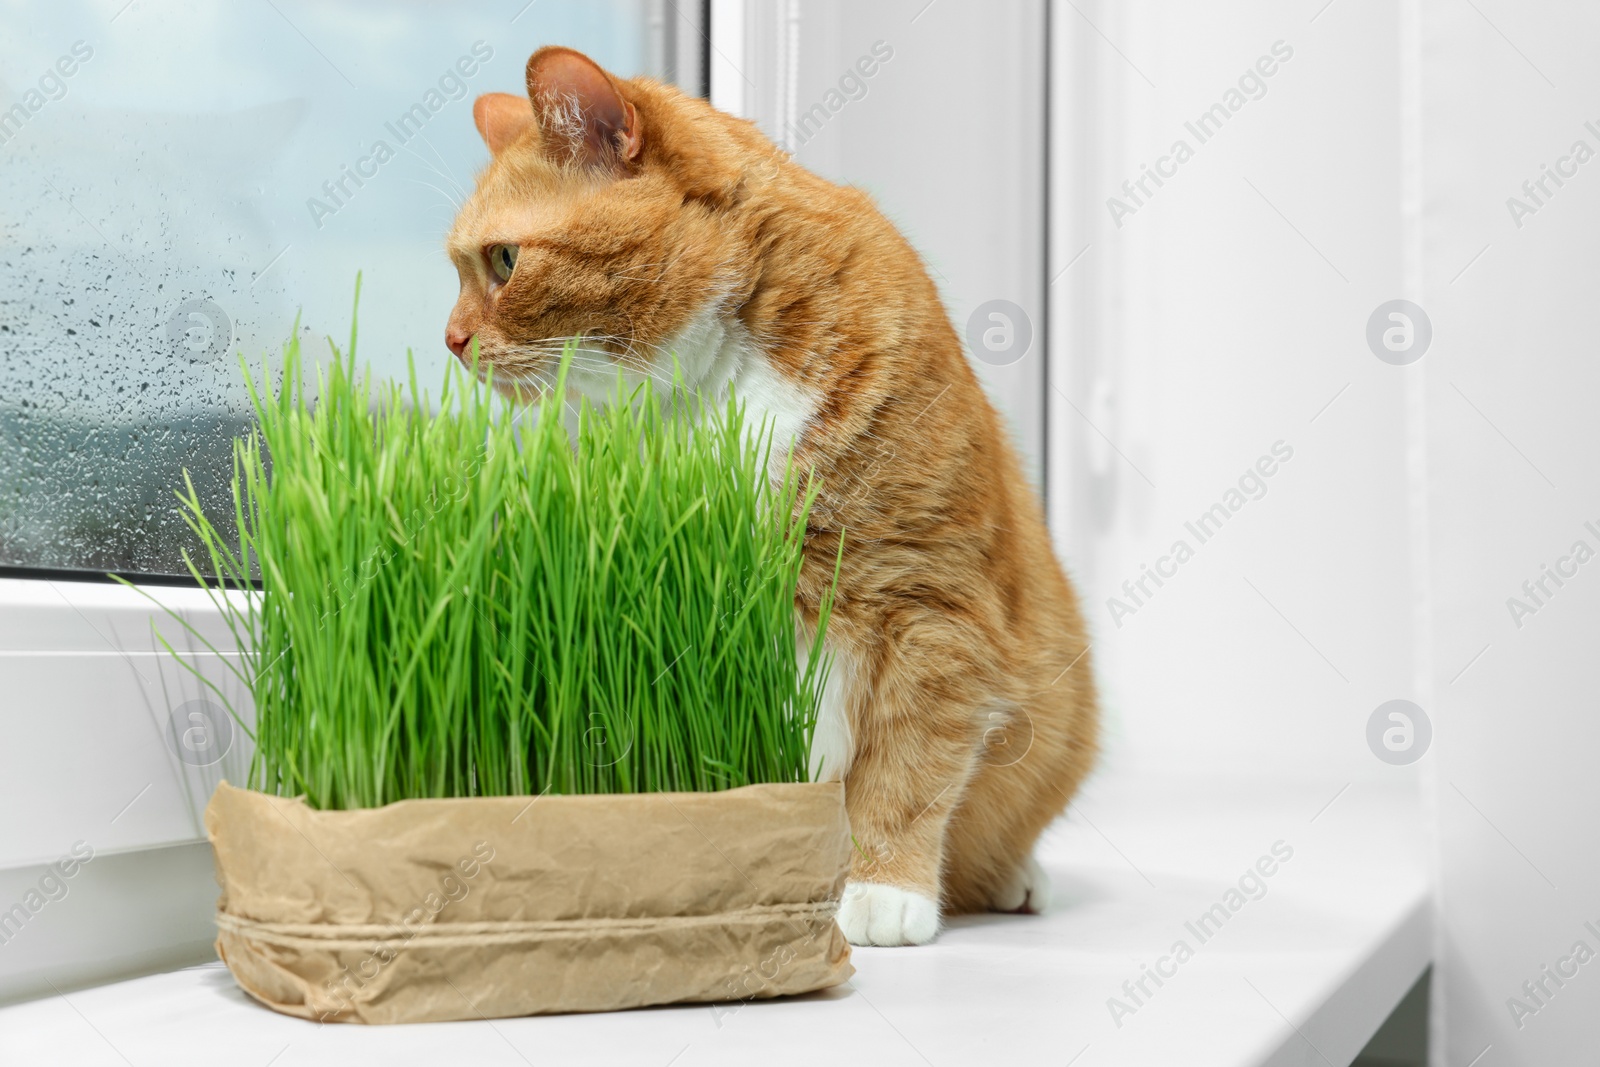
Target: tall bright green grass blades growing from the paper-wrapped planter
(470,604)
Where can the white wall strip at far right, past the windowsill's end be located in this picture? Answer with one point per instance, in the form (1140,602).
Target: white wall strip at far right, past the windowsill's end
(1513,438)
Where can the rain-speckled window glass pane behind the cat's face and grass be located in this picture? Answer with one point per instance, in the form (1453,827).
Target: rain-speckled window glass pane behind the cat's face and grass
(178,182)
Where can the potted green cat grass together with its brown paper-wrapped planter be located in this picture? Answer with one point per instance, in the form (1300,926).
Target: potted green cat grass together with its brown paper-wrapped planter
(530,721)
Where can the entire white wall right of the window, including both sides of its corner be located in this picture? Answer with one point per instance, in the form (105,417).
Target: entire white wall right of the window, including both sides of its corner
(1228,313)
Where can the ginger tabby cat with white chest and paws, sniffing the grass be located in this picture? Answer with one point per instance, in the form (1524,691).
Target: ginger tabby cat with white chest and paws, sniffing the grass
(961,711)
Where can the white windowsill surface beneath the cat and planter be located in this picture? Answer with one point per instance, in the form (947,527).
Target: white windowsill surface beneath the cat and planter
(1305,973)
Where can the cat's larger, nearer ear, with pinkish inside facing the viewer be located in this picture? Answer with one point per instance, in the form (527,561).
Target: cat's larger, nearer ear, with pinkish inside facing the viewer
(582,111)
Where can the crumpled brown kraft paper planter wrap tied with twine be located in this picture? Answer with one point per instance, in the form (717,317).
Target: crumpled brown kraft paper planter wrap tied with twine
(510,906)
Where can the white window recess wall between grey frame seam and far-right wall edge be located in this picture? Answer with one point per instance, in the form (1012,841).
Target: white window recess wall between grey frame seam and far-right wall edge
(1220,319)
